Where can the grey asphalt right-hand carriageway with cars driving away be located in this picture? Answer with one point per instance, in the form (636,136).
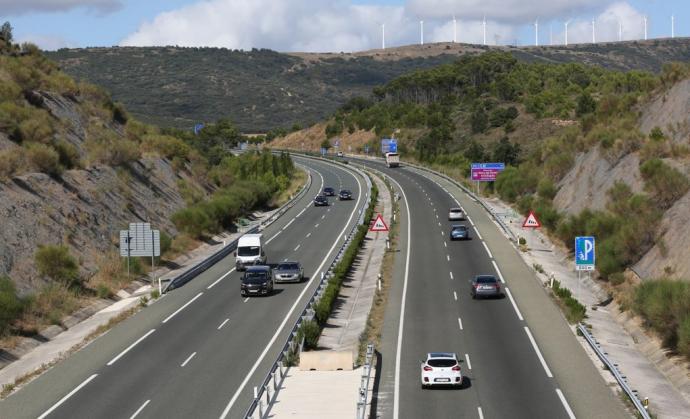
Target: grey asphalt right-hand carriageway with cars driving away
(507,372)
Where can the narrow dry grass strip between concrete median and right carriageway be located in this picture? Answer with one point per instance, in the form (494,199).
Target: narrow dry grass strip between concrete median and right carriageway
(375,320)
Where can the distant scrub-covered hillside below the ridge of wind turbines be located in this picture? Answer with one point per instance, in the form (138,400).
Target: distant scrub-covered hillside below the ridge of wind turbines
(261,89)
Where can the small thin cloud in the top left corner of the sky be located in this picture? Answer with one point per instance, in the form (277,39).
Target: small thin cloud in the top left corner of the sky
(19,7)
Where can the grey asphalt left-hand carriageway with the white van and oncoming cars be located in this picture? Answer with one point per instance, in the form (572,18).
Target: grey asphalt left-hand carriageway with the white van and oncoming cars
(188,354)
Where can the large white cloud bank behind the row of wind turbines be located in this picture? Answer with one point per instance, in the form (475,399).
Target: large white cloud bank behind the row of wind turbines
(333,26)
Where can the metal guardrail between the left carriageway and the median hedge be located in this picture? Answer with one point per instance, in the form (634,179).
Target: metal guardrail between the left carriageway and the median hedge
(266,393)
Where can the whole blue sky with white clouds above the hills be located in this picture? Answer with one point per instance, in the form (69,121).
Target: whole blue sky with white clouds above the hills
(336,25)
